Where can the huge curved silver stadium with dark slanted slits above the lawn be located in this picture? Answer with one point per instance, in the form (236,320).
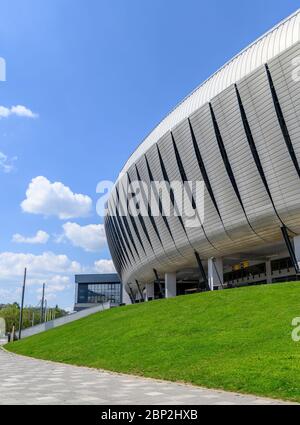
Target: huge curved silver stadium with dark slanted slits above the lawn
(239,134)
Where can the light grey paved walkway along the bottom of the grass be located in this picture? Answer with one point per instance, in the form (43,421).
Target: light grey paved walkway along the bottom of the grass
(28,381)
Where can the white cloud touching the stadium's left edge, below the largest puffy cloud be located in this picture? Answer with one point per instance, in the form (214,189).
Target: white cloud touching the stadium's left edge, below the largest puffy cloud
(91,238)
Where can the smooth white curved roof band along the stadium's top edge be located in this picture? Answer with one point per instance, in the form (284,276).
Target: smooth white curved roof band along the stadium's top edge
(280,38)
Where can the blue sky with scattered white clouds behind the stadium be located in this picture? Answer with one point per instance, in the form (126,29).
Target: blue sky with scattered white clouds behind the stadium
(99,75)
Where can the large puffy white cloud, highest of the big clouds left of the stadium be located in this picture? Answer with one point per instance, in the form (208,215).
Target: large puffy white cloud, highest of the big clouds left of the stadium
(55,199)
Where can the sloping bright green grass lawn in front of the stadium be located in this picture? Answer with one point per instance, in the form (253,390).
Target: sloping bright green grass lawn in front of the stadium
(236,340)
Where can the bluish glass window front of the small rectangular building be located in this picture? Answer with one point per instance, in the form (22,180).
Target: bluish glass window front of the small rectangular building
(97,293)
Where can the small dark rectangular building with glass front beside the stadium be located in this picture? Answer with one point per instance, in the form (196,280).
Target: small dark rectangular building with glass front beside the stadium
(97,289)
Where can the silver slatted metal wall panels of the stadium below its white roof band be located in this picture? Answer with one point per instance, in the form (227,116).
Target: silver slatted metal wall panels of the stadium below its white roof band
(233,224)
